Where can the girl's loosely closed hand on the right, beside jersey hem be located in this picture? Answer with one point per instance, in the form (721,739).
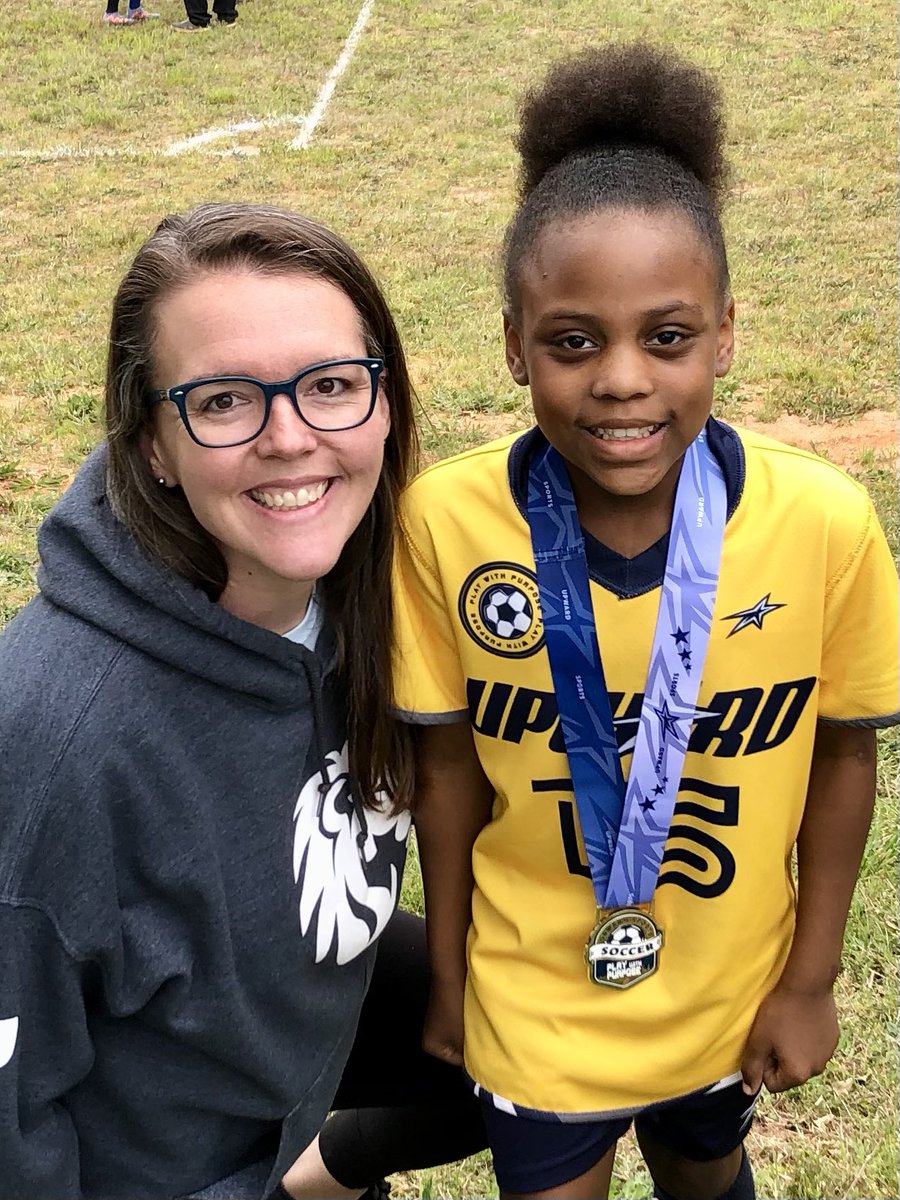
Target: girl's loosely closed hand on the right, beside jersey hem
(793,1039)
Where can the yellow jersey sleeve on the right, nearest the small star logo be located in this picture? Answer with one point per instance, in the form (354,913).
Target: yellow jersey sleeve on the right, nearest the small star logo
(859,681)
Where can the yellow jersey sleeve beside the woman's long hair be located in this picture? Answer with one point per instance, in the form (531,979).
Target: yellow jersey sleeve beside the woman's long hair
(429,685)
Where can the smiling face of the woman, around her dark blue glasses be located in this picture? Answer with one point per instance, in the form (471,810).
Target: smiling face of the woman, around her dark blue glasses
(271,327)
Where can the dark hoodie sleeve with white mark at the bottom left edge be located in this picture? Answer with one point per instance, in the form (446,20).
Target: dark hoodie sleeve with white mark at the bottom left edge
(45,1052)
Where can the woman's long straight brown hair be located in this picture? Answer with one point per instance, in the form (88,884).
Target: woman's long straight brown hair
(356,595)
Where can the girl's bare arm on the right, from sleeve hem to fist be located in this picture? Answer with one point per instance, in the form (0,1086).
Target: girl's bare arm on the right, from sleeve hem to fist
(796,1029)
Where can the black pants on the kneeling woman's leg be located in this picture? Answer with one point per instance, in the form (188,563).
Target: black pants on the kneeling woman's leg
(398,1109)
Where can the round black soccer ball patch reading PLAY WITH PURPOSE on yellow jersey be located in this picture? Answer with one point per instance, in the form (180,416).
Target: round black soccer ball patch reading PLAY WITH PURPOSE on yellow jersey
(501,611)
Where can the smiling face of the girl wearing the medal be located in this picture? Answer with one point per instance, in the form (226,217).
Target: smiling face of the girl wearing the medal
(621,338)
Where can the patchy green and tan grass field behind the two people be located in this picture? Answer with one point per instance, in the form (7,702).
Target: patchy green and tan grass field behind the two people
(413,163)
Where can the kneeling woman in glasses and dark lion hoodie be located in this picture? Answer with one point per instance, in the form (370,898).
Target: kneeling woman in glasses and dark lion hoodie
(203,795)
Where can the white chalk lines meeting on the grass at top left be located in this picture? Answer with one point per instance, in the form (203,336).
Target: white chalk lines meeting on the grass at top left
(308,122)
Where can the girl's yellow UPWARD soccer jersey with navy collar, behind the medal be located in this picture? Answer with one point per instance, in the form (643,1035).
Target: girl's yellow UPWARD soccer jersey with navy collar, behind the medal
(805,629)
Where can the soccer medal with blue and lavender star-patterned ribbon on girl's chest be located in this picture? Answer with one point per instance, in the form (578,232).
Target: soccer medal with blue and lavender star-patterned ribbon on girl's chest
(626,827)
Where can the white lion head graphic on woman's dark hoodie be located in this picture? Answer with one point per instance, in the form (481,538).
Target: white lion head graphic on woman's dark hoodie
(350,911)
